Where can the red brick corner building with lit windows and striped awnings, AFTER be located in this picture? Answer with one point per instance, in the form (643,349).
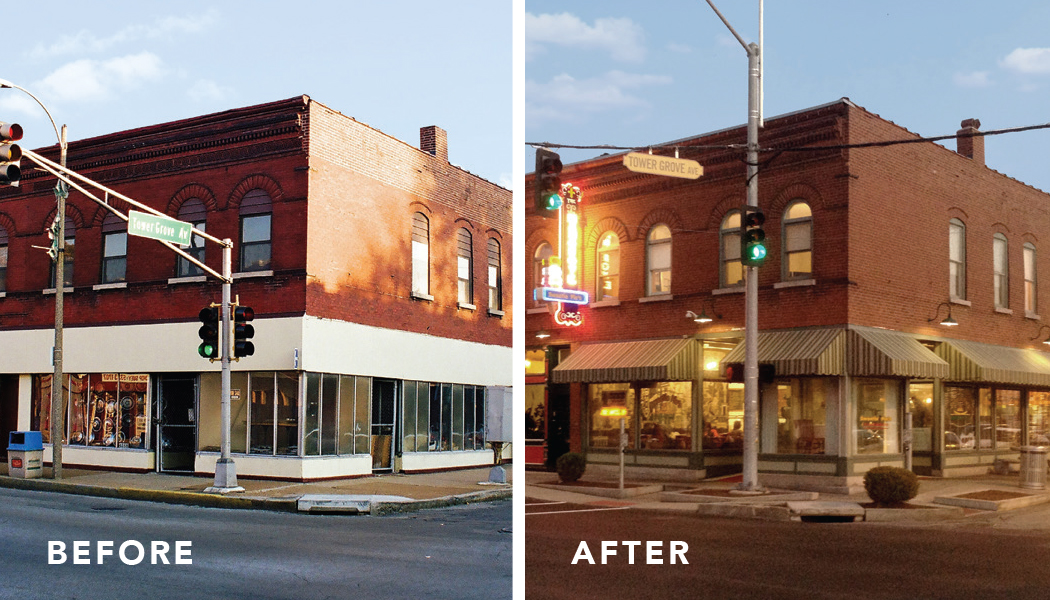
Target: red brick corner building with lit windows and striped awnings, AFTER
(871,249)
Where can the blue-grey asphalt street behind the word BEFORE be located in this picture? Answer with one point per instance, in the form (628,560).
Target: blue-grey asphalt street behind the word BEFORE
(457,553)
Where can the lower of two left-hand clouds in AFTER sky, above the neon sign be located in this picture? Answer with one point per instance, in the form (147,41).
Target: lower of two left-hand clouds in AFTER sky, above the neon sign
(565,97)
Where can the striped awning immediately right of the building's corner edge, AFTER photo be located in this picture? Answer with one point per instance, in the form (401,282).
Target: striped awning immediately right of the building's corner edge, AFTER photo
(874,353)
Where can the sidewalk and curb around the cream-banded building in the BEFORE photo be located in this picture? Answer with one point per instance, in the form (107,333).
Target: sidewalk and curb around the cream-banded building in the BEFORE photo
(375,495)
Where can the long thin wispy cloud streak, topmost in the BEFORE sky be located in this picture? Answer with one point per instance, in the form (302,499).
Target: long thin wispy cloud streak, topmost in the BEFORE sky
(87,43)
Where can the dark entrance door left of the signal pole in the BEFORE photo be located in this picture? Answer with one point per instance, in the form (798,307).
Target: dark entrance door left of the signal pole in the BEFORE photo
(177,427)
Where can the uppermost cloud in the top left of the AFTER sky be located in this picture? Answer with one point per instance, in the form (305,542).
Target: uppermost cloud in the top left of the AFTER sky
(622,38)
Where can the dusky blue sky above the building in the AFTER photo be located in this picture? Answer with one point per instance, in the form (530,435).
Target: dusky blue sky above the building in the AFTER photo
(633,74)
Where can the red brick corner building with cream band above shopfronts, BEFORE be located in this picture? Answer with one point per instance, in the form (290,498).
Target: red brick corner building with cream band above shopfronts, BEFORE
(376,272)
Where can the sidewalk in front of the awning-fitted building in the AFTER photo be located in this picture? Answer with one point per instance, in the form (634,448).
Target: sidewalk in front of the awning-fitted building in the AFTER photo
(986,498)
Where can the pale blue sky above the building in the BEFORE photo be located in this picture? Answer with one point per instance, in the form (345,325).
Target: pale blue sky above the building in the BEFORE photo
(397,66)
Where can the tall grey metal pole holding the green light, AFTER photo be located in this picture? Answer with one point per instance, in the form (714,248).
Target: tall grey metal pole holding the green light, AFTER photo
(750,483)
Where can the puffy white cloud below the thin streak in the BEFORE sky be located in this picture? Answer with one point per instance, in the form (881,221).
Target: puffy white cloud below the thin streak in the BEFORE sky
(89,80)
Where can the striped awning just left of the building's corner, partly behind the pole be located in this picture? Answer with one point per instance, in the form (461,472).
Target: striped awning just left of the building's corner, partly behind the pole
(803,353)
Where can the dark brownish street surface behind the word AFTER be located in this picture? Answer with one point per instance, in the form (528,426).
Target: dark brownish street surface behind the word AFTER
(740,560)
